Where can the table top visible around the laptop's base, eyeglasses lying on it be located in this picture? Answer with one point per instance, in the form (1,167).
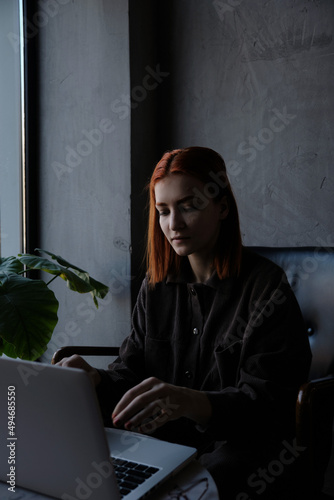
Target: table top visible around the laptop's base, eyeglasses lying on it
(195,481)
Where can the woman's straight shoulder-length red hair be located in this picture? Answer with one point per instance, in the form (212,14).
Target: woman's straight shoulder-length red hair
(209,167)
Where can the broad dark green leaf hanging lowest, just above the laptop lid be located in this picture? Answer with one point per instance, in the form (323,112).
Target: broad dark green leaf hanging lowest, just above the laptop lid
(28,316)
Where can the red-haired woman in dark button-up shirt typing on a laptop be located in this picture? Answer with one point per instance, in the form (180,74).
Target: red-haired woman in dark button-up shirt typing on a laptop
(218,348)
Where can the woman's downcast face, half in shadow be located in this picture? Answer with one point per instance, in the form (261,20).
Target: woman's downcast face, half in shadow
(189,219)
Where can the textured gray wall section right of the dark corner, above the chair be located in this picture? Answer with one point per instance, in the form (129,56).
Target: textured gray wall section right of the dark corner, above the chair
(254,80)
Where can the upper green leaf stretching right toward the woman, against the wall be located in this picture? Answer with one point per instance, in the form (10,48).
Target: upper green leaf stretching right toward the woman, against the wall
(77,280)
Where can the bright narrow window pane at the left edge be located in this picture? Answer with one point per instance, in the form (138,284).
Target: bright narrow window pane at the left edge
(12,209)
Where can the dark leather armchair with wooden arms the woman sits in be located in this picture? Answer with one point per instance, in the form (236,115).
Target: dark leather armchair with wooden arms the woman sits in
(310,271)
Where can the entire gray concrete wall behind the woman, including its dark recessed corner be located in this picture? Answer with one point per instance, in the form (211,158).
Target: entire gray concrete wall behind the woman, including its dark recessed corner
(251,79)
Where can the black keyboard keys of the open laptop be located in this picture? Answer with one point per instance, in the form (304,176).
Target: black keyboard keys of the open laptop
(129,475)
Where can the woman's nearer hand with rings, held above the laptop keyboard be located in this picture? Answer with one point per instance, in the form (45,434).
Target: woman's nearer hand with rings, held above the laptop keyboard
(152,403)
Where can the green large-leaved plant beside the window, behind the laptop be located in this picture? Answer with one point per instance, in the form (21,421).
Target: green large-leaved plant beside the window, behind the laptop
(28,307)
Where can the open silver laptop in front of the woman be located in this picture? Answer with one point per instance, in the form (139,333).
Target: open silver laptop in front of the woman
(53,440)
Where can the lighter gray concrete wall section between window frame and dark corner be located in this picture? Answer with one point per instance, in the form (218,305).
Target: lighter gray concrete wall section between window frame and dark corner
(85,163)
